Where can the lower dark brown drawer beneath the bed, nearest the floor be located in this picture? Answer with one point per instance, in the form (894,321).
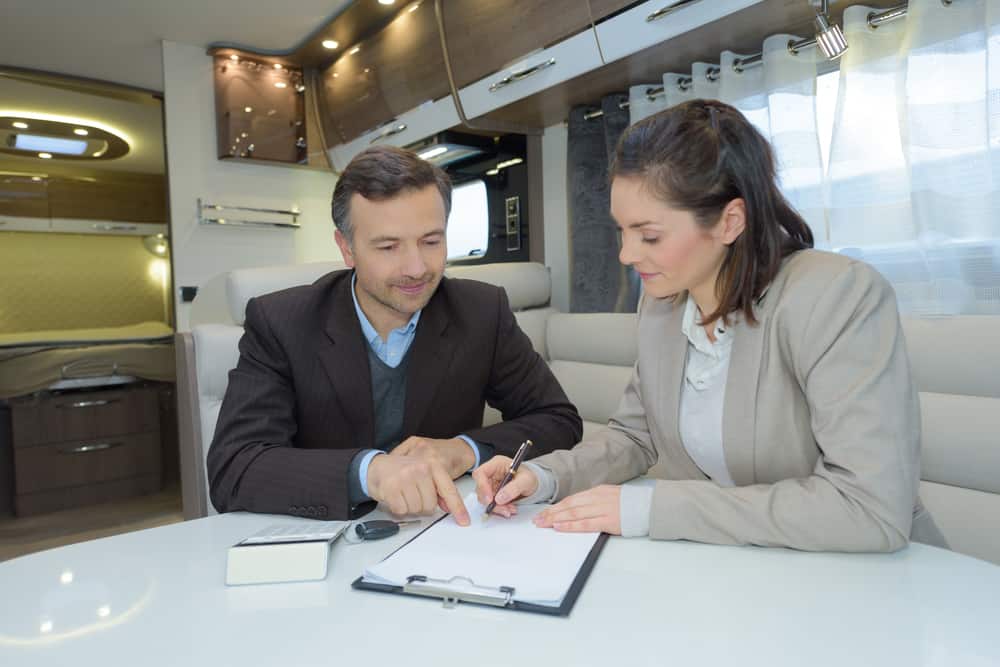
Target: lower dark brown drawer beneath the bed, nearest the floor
(48,467)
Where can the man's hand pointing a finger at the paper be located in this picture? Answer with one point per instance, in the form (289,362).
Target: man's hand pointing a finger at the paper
(414,485)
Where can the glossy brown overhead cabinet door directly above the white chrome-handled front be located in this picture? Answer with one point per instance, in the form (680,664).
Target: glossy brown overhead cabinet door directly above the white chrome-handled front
(486,35)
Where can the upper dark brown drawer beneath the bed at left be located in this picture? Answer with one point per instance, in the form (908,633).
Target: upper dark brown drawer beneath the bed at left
(88,415)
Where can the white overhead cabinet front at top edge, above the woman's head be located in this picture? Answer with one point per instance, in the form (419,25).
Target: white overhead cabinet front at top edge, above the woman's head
(656,21)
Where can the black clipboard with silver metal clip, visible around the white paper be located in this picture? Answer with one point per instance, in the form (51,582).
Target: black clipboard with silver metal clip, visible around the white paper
(502,597)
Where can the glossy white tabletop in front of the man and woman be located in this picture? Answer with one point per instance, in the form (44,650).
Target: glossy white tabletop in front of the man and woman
(157,597)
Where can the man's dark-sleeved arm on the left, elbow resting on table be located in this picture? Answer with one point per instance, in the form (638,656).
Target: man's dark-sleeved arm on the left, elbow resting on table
(252,463)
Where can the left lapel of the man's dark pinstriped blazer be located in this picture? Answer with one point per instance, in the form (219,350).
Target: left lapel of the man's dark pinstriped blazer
(345,360)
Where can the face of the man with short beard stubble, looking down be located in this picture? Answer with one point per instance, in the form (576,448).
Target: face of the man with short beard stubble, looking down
(398,252)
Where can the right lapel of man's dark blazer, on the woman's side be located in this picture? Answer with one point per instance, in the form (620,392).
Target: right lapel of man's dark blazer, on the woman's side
(429,359)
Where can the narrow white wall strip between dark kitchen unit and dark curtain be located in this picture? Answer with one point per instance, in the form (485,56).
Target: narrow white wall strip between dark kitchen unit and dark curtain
(555,212)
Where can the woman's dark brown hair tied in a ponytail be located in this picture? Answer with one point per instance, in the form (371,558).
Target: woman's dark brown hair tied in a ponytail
(699,156)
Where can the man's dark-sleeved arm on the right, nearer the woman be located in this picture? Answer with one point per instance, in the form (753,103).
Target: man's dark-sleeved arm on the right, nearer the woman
(523,388)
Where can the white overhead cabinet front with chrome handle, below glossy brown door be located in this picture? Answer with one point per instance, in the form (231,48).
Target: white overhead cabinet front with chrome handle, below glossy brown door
(532,74)
